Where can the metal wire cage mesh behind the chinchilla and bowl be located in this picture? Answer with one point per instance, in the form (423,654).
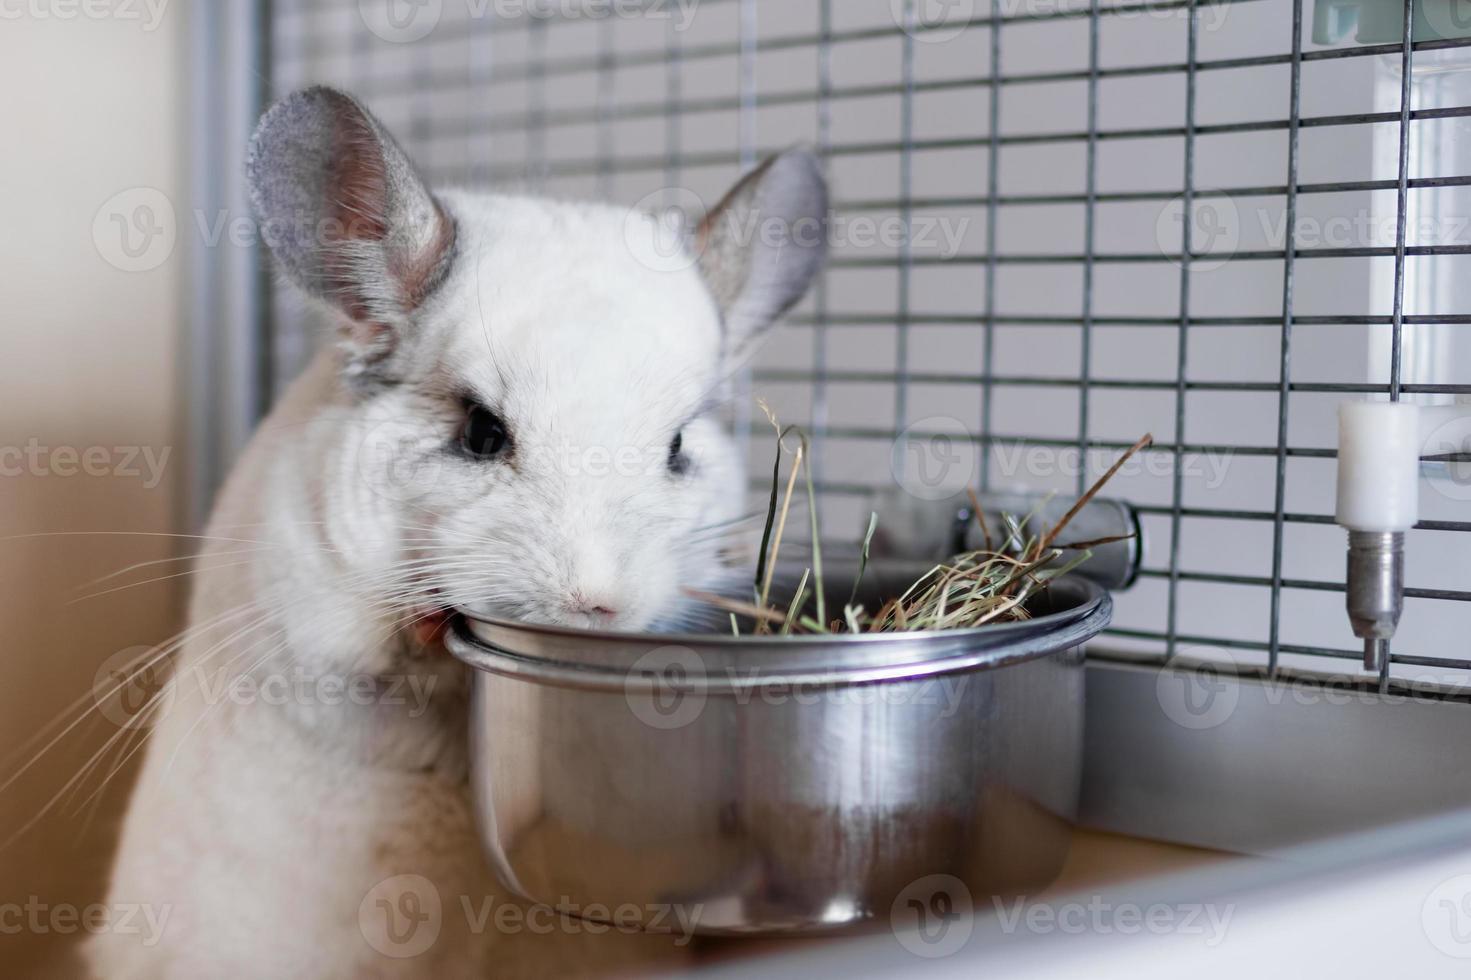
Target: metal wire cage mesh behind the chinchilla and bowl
(573,102)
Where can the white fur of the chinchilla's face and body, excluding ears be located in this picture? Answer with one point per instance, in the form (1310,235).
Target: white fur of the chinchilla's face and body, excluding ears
(264,826)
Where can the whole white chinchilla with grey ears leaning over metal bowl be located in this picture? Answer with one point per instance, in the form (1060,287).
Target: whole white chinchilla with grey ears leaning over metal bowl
(517,419)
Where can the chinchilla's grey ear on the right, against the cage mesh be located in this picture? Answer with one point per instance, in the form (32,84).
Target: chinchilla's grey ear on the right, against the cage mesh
(764,244)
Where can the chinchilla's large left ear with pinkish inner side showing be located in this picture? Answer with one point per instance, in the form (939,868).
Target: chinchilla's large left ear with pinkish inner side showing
(348,217)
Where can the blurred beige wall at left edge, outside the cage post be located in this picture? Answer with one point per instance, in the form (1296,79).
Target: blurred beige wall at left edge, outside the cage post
(89,335)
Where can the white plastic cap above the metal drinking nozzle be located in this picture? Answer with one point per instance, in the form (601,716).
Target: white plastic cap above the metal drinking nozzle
(1379,466)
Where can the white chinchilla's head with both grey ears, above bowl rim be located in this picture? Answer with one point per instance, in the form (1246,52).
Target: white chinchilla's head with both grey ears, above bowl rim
(527,388)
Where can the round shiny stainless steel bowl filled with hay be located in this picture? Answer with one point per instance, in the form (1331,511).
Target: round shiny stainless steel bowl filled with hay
(777,784)
